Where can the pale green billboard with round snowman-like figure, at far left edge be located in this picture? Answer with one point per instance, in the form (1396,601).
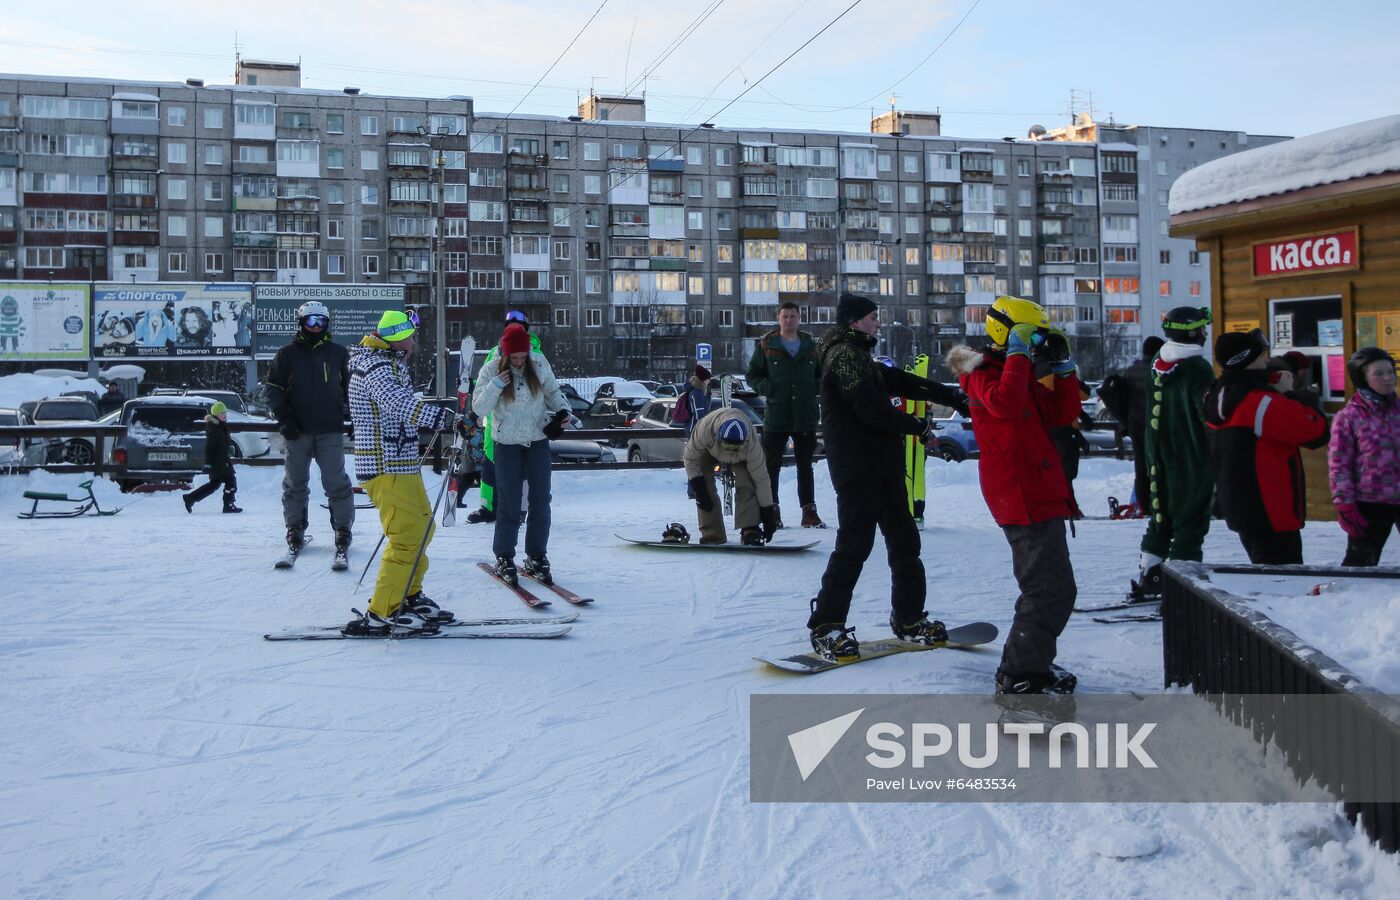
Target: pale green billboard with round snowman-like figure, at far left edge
(44,321)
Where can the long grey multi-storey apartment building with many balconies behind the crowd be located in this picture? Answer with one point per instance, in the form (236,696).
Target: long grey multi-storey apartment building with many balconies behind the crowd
(625,241)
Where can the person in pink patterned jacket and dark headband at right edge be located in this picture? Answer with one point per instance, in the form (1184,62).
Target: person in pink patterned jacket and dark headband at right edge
(1364,461)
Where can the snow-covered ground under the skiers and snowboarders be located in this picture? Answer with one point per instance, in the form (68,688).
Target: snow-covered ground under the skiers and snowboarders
(155,745)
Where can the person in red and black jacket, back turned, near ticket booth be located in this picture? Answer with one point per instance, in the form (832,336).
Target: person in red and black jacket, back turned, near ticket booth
(1256,433)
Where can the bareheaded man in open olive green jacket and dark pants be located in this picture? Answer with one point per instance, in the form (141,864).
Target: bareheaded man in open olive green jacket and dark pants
(785,370)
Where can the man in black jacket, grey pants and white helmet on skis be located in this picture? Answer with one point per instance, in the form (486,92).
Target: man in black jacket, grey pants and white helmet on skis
(307,394)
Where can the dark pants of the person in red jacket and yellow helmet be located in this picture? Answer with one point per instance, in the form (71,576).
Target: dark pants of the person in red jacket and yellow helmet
(1041,563)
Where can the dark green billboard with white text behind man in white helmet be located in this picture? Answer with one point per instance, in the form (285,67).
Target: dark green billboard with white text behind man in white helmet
(355,311)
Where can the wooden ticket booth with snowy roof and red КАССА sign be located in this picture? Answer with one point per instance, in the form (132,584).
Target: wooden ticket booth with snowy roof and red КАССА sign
(1304,241)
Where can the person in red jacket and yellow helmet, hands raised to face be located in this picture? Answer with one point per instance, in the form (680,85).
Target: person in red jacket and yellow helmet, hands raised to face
(1023,481)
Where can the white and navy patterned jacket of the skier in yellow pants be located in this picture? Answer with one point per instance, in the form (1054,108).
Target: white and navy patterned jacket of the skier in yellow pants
(386,412)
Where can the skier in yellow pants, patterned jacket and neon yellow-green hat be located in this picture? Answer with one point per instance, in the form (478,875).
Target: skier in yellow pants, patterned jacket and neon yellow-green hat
(387,419)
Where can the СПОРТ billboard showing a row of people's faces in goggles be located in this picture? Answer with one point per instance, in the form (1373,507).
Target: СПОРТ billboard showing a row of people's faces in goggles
(173,321)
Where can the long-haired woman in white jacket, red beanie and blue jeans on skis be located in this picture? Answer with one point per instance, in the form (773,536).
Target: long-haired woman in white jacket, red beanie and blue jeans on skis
(527,409)
